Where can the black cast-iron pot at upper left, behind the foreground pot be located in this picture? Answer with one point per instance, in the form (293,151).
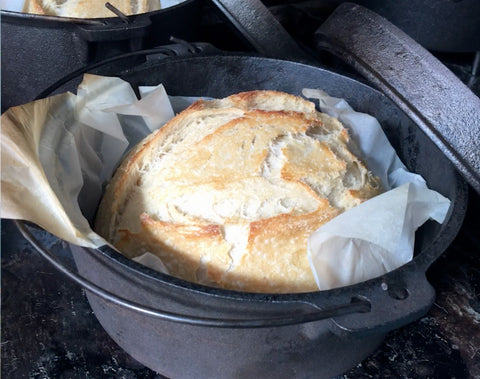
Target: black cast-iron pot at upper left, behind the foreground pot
(37,50)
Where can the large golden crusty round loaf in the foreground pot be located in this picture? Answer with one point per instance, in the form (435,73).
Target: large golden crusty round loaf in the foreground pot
(228,191)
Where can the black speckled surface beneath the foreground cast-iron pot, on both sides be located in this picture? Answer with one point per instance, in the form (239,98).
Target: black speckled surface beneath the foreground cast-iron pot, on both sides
(49,330)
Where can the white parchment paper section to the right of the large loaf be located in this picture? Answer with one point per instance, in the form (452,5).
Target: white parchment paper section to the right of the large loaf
(378,235)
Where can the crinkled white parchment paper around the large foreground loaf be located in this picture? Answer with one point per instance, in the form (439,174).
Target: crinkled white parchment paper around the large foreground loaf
(56,150)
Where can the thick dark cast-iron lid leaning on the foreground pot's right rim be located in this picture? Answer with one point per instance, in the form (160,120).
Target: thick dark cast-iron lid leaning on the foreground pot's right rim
(446,110)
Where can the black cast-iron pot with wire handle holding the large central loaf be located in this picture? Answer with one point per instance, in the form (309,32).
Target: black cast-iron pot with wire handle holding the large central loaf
(184,330)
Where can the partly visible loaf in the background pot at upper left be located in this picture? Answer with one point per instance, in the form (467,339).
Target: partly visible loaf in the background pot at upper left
(88,8)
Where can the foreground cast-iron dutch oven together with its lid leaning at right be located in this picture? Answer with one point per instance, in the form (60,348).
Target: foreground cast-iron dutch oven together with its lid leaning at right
(184,330)
